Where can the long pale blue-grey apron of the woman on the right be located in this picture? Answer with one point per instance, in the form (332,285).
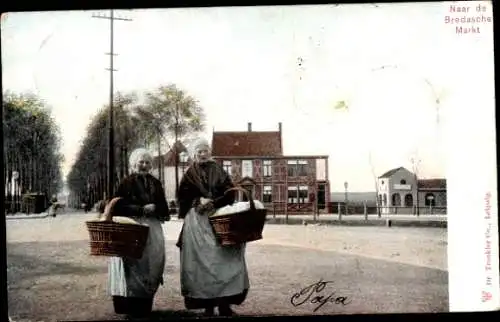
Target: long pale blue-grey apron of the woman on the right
(209,270)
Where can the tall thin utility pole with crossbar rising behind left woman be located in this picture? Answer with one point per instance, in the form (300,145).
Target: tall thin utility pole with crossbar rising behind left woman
(111,136)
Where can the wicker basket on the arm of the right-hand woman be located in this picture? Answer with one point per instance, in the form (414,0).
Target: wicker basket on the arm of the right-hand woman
(240,227)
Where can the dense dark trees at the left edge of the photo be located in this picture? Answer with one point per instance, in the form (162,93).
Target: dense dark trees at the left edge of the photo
(32,158)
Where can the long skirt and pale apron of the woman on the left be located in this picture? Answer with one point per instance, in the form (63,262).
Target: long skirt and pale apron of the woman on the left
(140,277)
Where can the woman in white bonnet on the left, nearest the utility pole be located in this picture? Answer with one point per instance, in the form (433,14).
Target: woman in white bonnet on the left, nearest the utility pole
(133,282)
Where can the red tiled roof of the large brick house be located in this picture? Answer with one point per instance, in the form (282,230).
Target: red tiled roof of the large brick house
(246,144)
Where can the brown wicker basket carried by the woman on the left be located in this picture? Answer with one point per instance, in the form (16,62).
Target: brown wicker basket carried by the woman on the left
(108,238)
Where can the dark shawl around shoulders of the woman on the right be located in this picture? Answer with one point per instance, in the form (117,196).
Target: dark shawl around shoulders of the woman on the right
(208,180)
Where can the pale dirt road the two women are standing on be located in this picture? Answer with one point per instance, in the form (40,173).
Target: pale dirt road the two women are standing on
(380,270)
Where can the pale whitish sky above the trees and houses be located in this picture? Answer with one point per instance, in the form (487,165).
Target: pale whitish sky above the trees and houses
(266,65)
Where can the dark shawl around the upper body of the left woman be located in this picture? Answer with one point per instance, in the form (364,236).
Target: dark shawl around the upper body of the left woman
(138,190)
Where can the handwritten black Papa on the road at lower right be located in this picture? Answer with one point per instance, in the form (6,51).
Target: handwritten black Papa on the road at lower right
(313,294)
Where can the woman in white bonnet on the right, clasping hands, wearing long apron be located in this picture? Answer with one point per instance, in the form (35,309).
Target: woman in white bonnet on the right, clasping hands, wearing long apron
(211,275)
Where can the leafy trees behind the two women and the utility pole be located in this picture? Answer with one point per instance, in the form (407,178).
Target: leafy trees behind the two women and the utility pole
(158,119)
